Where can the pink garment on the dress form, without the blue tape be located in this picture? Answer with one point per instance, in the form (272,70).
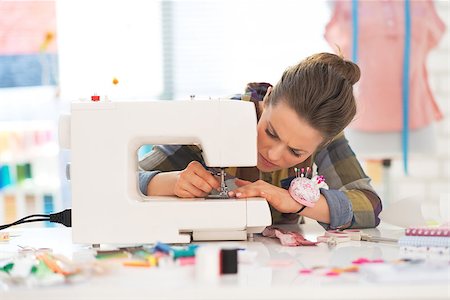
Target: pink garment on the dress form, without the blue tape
(380,57)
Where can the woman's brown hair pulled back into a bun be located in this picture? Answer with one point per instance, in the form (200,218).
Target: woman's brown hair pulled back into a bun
(320,90)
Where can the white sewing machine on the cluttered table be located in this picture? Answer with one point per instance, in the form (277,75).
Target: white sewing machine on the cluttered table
(107,206)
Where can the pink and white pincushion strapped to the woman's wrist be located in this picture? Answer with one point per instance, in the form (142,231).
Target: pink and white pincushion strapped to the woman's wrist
(305,191)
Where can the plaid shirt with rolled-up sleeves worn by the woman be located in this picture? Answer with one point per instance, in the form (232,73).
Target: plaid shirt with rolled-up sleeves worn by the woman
(352,201)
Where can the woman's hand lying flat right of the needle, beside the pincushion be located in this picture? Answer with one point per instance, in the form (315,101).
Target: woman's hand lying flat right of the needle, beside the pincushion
(279,198)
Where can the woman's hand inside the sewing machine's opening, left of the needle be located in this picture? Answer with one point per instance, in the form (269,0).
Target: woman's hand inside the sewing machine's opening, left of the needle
(195,181)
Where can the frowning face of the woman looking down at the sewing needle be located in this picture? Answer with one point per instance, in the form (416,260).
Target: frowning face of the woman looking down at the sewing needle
(284,139)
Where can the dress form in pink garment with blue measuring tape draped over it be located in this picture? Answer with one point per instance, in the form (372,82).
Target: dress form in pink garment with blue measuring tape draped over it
(375,34)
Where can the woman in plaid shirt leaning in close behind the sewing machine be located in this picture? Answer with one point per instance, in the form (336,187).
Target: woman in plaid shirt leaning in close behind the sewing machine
(300,124)
